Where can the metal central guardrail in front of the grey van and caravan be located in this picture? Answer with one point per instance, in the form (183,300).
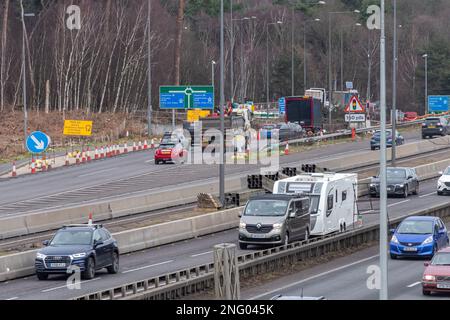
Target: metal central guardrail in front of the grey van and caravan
(200,278)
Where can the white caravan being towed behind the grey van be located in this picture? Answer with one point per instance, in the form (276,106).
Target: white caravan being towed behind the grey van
(333,198)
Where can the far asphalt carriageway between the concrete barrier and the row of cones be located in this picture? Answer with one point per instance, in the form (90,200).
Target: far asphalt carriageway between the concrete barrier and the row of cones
(134,174)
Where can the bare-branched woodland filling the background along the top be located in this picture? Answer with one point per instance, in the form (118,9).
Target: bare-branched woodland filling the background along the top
(103,66)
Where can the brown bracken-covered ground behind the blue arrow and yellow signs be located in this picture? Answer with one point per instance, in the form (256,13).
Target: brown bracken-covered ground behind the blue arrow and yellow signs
(106,128)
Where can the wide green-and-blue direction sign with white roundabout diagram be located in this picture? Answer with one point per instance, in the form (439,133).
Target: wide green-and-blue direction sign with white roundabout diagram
(186,97)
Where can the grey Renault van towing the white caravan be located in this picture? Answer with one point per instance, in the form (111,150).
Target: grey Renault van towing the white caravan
(274,220)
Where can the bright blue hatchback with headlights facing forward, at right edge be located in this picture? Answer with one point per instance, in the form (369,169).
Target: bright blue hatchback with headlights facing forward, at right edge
(418,237)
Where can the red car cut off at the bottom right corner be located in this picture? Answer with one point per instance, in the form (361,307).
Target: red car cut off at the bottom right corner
(436,277)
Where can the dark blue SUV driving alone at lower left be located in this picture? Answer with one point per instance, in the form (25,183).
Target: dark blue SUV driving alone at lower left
(87,247)
